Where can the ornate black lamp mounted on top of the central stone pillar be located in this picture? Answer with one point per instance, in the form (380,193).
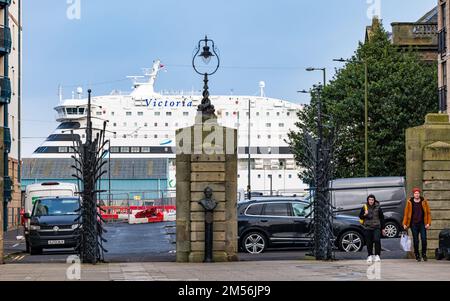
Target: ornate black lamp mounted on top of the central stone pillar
(203,52)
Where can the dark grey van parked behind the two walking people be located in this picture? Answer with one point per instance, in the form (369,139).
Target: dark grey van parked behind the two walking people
(349,195)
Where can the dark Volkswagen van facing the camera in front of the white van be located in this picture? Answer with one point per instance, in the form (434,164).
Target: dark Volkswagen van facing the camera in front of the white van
(54,224)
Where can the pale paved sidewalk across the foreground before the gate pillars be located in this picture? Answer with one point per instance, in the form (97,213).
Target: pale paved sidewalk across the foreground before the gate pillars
(390,270)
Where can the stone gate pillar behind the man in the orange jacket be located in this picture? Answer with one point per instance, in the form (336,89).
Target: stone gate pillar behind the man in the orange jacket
(428,167)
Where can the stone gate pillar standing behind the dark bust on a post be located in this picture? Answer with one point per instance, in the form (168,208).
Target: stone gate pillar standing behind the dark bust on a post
(206,157)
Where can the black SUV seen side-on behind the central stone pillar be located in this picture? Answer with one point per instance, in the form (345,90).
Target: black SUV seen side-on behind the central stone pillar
(284,222)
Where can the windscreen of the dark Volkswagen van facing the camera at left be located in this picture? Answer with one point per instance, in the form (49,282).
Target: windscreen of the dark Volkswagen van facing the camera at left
(56,207)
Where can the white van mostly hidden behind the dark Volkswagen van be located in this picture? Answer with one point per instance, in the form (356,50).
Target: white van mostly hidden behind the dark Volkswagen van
(44,190)
